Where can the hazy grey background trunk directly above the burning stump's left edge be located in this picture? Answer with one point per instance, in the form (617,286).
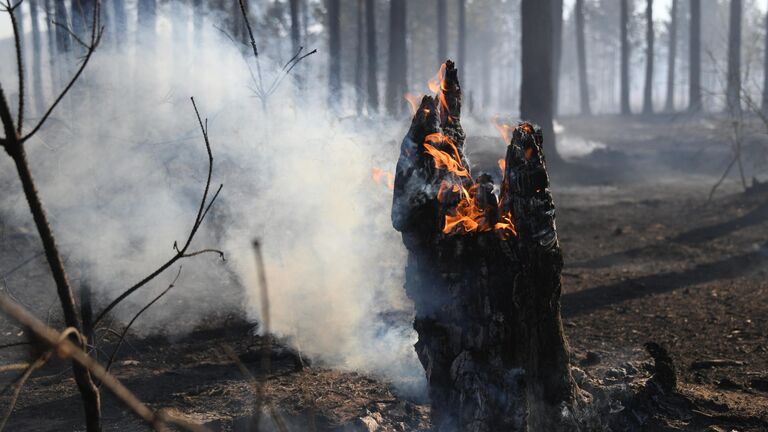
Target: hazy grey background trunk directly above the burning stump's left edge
(397,65)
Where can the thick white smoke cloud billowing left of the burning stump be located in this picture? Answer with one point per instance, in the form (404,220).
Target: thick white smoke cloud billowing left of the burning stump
(121,169)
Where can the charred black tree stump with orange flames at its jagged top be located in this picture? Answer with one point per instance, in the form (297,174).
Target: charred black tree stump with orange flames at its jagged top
(484,274)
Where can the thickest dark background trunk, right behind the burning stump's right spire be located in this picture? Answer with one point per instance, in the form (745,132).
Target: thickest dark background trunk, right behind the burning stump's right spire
(536,87)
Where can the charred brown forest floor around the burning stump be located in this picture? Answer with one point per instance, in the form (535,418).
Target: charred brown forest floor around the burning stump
(648,259)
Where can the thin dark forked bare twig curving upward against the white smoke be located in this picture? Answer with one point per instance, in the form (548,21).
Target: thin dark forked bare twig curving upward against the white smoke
(205,206)
